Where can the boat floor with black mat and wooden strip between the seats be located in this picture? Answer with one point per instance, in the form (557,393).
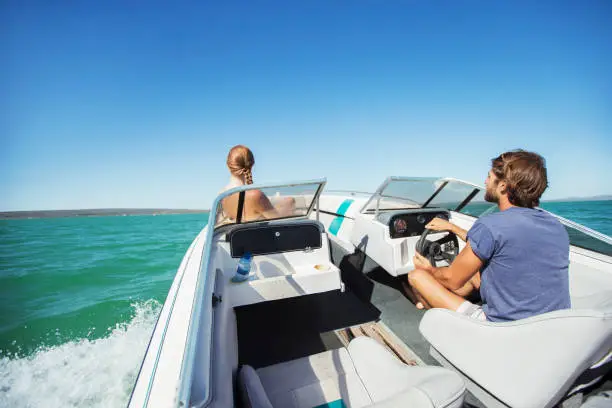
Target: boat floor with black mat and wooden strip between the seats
(373,304)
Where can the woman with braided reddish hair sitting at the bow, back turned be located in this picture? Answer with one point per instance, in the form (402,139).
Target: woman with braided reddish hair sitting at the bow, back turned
(240,162)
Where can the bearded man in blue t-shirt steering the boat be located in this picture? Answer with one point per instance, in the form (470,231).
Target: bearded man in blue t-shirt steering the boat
(522,252)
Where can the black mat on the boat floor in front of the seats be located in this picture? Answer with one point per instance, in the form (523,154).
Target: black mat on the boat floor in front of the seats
(283,330)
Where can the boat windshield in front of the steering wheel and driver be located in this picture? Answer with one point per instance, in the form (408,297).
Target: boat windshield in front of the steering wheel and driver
(399,193)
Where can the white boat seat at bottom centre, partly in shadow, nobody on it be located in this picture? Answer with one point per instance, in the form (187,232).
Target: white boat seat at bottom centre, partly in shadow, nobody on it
(364,374)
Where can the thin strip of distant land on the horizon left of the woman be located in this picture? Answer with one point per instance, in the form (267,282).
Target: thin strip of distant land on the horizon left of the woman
(7,215)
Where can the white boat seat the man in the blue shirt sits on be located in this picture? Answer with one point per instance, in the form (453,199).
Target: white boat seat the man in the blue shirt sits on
(533,362)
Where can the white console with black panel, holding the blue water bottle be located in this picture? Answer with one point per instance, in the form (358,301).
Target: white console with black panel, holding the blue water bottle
(280,275)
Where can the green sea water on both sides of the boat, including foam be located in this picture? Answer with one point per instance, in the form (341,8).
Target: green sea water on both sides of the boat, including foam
(79,298)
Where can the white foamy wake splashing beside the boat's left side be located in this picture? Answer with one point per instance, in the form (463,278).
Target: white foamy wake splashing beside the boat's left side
(92,373)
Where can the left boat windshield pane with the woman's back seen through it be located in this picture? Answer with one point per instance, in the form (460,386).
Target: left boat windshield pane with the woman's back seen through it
(266,202)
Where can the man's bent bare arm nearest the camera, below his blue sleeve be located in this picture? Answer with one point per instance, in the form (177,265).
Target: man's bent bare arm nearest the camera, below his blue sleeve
(453,277)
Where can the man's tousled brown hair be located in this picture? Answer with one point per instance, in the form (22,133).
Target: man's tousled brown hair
(525,176)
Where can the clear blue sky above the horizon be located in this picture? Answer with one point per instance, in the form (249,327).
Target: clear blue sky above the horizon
(104,104)
